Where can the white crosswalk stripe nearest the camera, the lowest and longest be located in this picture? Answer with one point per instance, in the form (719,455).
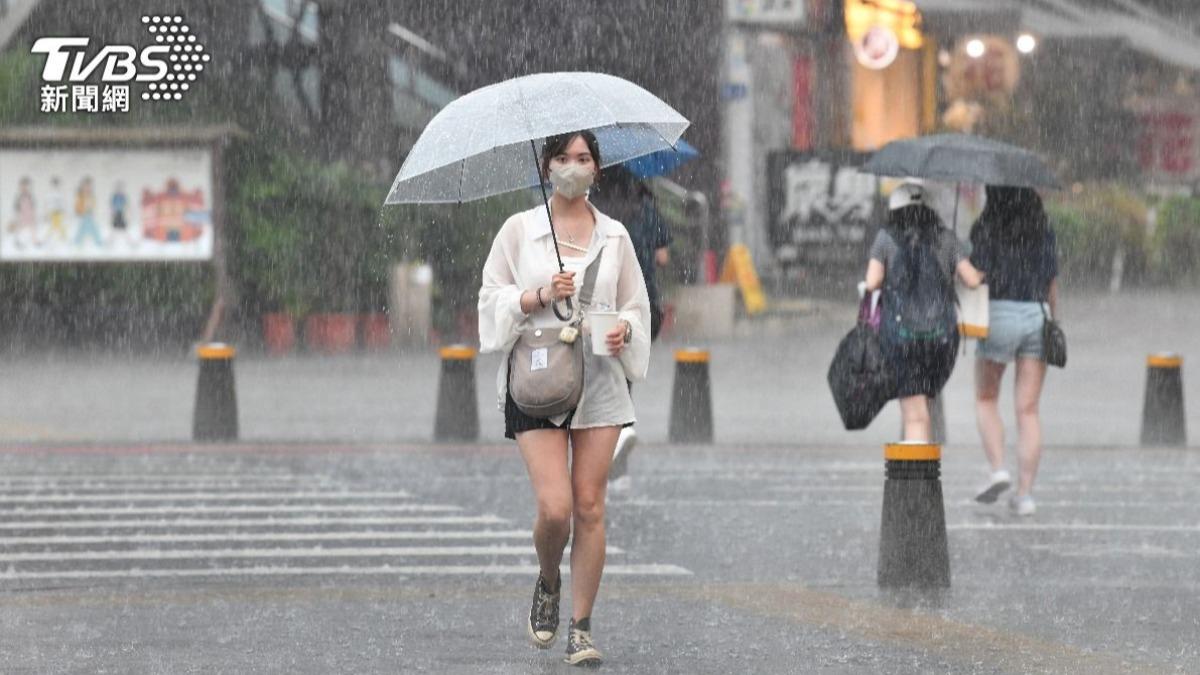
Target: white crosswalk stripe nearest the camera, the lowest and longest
(394,571)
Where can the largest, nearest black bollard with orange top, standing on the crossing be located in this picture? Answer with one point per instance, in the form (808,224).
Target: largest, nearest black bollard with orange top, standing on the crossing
(914,549)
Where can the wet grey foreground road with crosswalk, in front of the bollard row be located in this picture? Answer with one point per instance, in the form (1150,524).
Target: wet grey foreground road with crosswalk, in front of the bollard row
(730,559)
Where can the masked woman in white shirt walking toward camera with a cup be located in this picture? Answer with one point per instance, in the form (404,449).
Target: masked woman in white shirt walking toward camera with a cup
(521,284)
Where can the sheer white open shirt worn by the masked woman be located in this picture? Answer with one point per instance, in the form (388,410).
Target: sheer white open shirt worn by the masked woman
(523,259)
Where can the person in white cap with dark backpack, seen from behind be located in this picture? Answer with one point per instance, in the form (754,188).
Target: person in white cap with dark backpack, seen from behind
(914,260)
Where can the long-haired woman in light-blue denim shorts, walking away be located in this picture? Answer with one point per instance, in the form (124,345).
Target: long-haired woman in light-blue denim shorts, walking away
(1012,242)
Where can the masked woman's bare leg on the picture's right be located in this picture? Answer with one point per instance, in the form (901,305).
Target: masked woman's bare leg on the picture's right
(591,457)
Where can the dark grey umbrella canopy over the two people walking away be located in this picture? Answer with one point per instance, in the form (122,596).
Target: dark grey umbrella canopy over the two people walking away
(957,158)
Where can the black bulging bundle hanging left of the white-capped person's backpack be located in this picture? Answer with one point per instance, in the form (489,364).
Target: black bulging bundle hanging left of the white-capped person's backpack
(860,378)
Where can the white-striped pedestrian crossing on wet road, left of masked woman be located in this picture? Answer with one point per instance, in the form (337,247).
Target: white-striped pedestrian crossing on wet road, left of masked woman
(129,527)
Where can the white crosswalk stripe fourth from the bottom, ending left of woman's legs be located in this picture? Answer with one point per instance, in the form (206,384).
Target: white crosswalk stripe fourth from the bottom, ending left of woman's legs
(292,522)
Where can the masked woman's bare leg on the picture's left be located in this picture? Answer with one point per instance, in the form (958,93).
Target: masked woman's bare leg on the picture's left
(545,455)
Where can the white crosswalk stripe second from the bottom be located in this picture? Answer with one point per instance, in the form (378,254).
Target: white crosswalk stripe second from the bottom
(290,553)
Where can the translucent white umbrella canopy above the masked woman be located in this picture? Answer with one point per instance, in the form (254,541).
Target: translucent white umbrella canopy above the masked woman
(479,146)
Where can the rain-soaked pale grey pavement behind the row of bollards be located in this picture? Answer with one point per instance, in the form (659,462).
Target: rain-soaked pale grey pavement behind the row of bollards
(769,387)
